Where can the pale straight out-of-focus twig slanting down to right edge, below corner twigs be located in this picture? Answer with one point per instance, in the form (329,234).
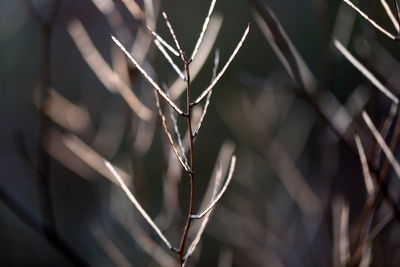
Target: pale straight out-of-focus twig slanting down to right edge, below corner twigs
(365,72)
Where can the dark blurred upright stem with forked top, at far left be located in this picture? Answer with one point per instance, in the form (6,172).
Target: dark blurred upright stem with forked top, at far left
(46,24)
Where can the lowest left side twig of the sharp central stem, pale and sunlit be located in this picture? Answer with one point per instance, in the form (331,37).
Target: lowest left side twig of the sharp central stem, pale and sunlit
(137,204)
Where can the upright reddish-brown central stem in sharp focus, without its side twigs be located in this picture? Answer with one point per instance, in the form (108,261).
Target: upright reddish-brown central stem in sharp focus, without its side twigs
(181,251)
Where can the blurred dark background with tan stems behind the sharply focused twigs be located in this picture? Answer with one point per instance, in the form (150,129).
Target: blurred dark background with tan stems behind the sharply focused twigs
(288,107)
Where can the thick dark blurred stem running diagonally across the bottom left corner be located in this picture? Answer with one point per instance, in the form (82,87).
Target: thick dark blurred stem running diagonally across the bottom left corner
(41,228)
